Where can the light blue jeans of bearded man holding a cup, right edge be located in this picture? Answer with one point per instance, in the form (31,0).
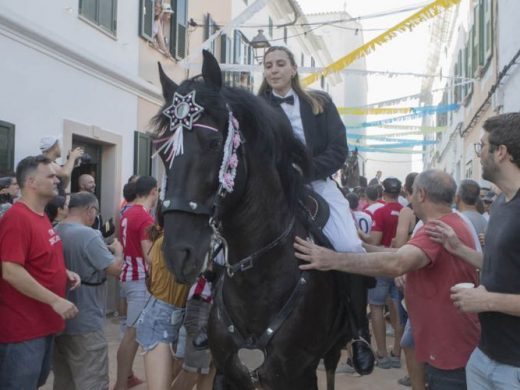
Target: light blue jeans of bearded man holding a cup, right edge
(484,373)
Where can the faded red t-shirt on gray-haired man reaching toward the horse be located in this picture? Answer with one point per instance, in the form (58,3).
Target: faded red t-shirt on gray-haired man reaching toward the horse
(444,337)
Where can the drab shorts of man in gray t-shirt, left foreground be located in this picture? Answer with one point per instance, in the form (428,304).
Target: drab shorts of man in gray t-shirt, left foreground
(81,361)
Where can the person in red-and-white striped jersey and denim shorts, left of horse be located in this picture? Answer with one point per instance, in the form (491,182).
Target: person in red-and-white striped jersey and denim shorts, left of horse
(133,234)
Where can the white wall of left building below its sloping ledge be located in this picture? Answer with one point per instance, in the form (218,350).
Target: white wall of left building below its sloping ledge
(39,92)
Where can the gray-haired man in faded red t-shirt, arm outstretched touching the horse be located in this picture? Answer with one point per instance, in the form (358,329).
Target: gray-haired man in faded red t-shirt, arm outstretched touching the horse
(444,337)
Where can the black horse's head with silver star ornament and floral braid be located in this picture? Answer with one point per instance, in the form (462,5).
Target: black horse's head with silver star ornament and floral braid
(191,140)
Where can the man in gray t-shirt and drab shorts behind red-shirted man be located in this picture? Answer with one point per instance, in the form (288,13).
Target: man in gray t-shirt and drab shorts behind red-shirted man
(81,352)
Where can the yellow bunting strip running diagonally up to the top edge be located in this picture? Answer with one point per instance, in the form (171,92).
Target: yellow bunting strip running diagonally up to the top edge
(428,12)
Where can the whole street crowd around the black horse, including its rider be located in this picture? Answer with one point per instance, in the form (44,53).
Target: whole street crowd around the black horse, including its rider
(444,257)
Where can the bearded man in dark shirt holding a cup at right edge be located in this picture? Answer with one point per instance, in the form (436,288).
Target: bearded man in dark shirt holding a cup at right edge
(495,364)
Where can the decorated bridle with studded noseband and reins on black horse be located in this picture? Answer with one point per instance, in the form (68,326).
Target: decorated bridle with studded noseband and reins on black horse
(227,174)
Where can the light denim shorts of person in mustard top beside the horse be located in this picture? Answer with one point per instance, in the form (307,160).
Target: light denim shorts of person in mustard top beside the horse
(159,322)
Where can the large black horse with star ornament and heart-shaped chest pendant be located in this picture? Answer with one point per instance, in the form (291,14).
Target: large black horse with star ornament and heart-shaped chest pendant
(270,322)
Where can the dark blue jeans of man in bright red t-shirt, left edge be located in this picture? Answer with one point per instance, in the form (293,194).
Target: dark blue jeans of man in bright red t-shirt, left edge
(25,365)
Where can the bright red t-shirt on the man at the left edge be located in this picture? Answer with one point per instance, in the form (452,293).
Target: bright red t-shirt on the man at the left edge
(28,239)
